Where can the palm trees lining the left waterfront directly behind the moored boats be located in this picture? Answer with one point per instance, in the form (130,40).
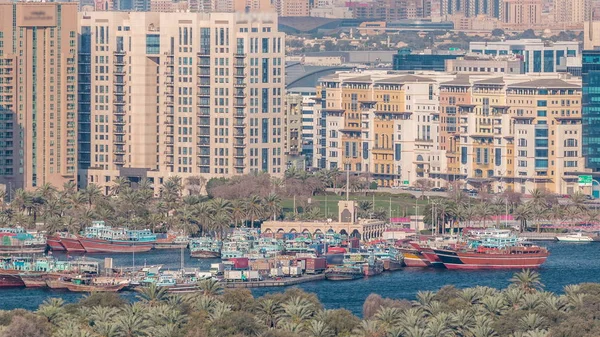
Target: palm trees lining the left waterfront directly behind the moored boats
(134,206)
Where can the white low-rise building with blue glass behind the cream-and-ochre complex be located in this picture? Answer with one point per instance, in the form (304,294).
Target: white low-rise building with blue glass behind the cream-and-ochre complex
(538,56)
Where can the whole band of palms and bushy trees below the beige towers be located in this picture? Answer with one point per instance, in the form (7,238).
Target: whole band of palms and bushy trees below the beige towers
(187,205)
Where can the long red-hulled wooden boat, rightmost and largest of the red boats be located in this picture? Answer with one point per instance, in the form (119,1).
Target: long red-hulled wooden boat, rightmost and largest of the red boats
(509,258)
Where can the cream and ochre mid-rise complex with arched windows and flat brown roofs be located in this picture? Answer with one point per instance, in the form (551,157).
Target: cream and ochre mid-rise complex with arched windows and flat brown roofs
(490,131)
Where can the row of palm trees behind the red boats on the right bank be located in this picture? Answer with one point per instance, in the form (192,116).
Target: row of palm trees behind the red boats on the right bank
(531,211)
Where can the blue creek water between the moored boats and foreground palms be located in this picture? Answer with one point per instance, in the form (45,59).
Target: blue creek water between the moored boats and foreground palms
(568,263)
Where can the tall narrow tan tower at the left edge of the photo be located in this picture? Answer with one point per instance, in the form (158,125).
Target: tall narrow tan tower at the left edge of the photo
(38,94)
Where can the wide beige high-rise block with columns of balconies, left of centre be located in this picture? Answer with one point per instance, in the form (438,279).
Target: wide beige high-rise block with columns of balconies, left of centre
(181,94)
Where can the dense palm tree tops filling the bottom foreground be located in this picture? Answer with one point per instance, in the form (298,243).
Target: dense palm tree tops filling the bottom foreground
(521,310)
